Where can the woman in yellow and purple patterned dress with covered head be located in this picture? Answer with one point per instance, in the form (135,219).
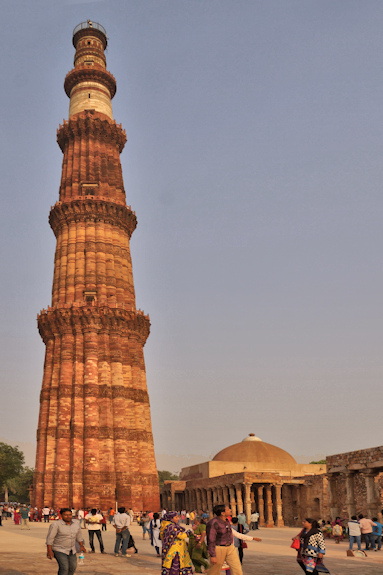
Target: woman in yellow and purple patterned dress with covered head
(175,557)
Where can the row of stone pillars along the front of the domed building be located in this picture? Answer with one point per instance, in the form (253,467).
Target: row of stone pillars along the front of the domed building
(241,498)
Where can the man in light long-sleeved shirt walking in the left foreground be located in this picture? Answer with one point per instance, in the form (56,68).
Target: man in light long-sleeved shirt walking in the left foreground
(61,542)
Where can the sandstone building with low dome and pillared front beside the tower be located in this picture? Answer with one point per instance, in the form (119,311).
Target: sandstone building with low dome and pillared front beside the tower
(249,476)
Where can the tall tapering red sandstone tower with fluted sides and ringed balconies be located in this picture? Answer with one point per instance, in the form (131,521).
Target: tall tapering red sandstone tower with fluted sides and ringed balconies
(94,437)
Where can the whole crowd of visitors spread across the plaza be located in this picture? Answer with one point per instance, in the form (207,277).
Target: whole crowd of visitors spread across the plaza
(186,542)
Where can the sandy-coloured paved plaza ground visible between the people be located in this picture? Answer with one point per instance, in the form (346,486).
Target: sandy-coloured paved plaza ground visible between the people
(23,553)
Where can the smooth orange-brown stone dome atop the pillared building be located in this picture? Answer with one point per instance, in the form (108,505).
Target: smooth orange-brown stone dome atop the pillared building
(253,449)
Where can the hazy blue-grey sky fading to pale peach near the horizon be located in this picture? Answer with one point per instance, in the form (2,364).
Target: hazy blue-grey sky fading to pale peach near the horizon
(254,163)
